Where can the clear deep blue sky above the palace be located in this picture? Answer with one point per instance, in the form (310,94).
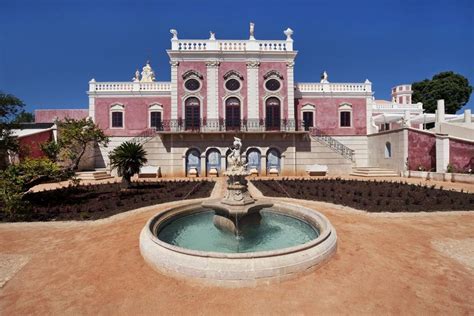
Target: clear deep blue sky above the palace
(49,50)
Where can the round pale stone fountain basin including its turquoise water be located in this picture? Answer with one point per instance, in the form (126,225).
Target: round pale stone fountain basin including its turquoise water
(291,239)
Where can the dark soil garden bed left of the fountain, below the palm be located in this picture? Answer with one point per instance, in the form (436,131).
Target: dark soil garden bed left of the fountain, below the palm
(90,202)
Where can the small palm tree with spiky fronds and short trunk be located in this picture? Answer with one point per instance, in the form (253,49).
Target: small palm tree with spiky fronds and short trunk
(128,158)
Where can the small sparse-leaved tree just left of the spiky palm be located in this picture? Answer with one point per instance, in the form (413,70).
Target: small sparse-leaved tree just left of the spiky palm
(75,136)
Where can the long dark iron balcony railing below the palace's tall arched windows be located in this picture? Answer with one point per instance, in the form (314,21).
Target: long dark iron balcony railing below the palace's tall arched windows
(221,125)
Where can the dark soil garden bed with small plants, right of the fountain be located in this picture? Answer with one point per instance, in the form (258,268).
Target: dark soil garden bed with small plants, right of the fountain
(371,196)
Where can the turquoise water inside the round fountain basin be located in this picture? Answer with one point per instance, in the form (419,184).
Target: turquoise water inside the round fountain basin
(276,231)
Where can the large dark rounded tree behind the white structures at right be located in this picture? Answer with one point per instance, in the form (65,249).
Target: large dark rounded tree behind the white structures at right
(453,88)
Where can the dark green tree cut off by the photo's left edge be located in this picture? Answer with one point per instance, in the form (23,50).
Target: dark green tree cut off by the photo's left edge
(9,107)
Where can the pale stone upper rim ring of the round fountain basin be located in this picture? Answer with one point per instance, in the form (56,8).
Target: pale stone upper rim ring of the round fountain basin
(314,218)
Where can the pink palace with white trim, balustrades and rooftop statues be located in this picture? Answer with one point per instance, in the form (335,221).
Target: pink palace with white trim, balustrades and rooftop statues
(221,89)
